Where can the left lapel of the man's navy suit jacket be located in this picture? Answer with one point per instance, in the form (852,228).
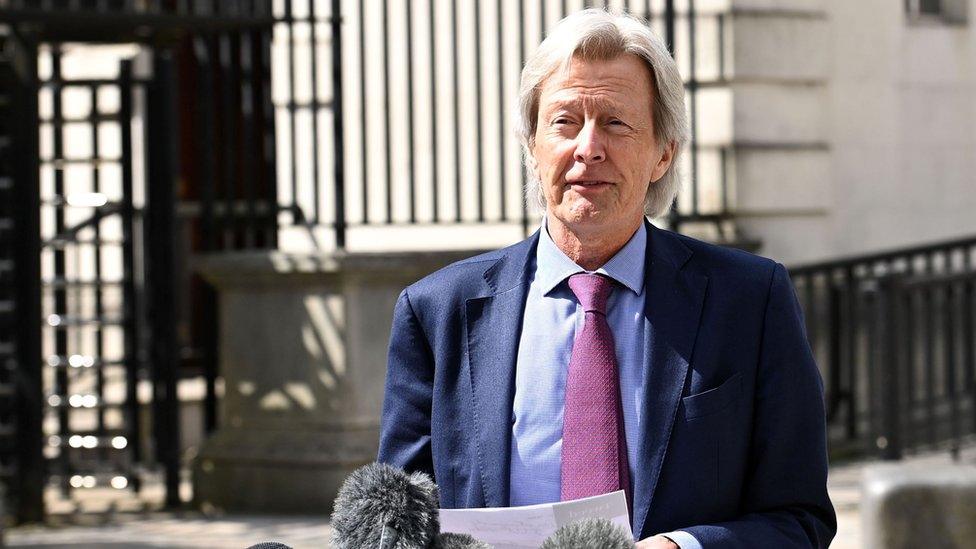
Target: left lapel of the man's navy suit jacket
(494,324)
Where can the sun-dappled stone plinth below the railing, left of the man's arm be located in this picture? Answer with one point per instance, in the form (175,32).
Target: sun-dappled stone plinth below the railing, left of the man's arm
(303,342)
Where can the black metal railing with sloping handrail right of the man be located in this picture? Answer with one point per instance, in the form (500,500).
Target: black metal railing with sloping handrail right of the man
(893,333)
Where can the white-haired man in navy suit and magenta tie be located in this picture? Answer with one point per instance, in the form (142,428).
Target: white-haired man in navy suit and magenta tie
(603,353)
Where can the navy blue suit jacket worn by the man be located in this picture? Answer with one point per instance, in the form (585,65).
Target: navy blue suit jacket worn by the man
(735,446)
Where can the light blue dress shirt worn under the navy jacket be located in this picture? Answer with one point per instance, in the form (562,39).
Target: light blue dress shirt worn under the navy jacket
(552,318)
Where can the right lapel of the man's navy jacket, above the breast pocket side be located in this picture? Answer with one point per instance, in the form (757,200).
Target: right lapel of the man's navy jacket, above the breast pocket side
(672,310)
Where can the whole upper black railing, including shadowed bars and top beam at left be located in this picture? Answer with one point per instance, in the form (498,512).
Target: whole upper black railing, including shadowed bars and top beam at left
(412,129)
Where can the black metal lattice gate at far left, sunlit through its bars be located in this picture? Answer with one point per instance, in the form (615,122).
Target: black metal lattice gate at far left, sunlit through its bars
(91,308)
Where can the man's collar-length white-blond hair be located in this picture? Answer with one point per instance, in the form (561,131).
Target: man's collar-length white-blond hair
(596,35)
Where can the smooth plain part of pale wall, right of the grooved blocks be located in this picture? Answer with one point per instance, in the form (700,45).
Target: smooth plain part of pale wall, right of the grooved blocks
(903,127)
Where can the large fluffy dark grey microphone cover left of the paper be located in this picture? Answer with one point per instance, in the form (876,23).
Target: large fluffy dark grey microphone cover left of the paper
(382,506)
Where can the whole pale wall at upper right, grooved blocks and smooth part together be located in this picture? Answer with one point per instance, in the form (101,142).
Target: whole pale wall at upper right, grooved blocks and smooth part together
(855,126)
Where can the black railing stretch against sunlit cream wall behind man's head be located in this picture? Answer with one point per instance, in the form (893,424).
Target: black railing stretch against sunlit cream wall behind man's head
(415,129)
